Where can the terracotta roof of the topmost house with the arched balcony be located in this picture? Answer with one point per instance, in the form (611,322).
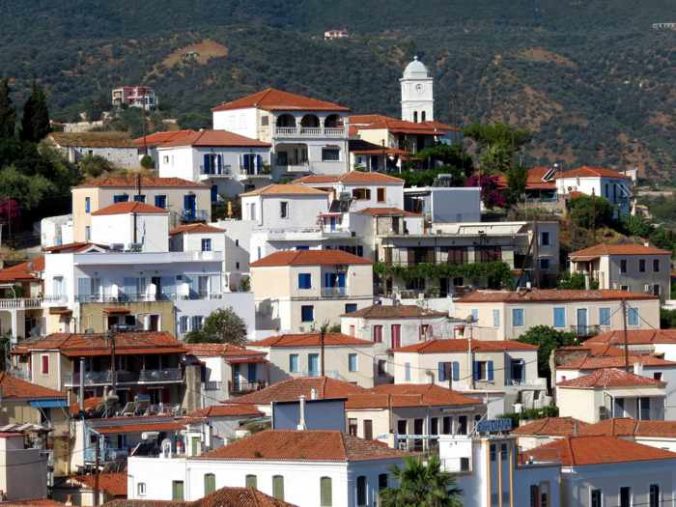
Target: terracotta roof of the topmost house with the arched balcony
(272,99)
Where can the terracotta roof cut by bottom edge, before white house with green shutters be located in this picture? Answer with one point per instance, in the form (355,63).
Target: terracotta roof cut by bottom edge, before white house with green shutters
(224,497)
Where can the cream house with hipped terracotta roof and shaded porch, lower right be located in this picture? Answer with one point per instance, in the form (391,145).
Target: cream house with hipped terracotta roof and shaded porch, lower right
(611,392)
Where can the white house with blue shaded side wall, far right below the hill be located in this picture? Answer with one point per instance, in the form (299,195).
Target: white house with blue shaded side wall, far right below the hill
(598,181)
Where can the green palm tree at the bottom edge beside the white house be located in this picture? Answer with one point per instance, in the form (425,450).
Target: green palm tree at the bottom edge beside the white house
(421,485)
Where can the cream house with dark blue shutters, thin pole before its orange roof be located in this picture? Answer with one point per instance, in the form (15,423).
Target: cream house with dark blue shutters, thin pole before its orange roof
(505,371)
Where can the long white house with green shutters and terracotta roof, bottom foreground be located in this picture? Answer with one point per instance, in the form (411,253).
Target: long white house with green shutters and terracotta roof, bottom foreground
(305,468)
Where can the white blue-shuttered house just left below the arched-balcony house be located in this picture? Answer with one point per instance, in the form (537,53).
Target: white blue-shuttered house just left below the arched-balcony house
(229,163)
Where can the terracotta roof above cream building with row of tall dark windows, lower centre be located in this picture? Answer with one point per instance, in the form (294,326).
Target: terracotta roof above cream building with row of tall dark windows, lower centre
(408,395)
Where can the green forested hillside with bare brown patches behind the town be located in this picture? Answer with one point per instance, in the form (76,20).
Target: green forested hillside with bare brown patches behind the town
(591,78)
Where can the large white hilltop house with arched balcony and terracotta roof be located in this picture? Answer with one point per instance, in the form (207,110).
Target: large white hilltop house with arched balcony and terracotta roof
(306,134)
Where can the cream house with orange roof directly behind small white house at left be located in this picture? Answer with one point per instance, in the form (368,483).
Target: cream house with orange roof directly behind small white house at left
(185,200)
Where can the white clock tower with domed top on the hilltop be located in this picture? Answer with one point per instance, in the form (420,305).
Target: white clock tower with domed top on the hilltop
(417,93)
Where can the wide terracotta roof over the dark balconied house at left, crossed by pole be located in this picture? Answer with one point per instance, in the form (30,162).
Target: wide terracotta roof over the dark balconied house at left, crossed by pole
(90,345)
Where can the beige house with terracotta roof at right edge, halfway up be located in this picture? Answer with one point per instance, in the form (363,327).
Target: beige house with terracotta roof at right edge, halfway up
(636,268)
